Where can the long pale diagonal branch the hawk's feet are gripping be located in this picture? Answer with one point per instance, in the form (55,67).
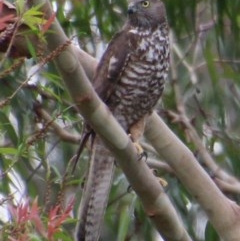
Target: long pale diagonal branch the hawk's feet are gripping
(154,200)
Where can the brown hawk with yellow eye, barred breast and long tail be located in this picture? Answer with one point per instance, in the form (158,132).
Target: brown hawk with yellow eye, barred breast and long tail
(129,79)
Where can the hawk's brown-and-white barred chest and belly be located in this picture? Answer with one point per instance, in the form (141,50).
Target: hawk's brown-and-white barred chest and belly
(142,81)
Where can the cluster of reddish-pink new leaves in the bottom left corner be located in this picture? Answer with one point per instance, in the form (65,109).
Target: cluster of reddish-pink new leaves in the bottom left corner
(27,223)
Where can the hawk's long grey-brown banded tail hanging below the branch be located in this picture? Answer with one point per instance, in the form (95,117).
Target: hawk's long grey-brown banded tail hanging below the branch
(96,191)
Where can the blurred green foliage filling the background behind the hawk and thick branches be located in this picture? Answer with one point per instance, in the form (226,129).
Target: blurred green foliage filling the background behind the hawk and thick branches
(204,85)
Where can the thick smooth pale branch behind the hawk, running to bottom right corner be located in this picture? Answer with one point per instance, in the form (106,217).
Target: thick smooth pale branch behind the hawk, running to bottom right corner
(223,213)
